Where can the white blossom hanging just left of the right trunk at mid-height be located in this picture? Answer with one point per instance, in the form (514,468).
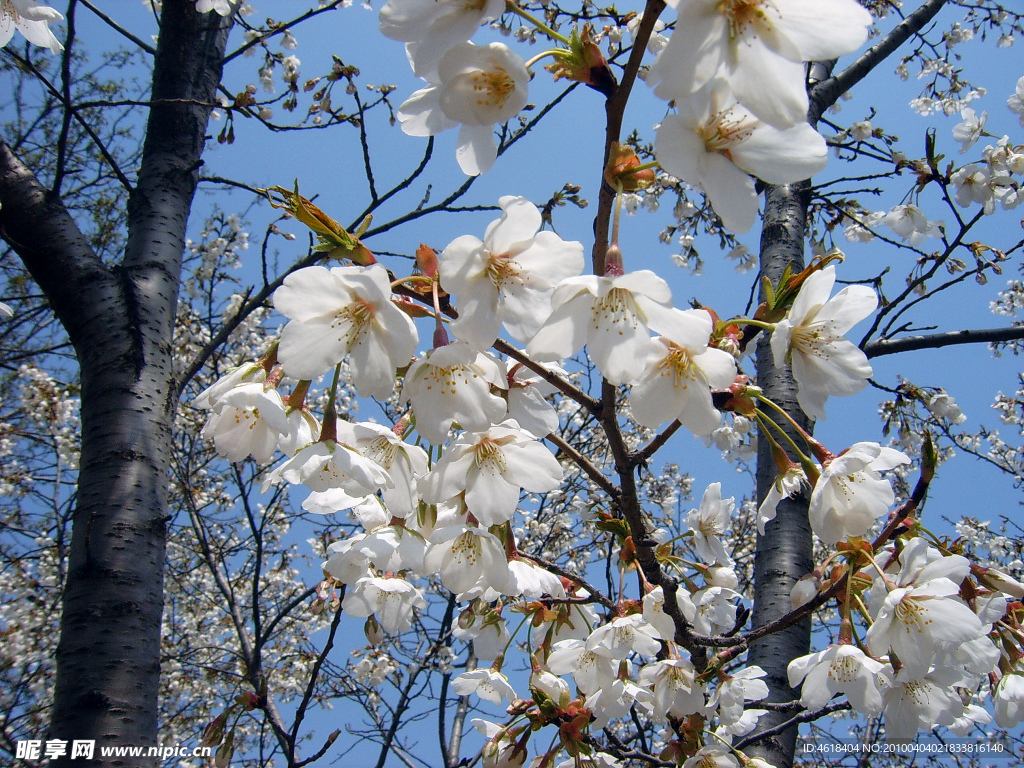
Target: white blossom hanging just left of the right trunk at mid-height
(679,378)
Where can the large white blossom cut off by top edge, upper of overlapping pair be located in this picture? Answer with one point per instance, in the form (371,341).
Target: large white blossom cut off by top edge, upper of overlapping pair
(757,47)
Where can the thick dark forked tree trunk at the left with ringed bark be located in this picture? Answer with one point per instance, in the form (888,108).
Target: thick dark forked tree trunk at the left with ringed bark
(120,320)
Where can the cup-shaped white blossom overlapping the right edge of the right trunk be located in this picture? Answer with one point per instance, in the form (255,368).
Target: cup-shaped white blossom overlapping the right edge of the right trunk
(850,495)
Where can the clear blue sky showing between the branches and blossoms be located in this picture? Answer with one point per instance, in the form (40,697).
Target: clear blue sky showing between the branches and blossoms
(568,149)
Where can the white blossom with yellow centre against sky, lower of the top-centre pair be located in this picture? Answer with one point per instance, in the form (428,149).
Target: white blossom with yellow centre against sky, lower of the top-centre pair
(476,87)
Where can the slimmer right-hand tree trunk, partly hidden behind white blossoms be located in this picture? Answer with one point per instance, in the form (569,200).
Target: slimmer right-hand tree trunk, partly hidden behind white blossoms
(784,553)
